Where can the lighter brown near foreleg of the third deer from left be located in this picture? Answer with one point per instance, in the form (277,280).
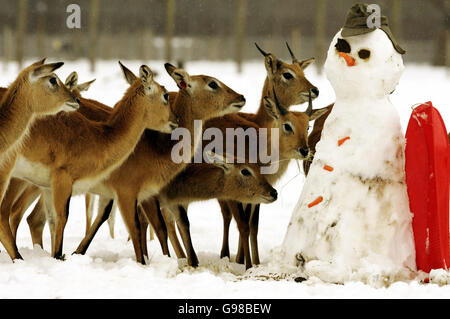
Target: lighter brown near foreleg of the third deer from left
(128,209)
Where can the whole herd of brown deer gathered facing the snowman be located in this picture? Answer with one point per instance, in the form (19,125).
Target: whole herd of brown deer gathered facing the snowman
(55,144)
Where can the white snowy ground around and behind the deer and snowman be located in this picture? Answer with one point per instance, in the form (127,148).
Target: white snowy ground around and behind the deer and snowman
(109,270)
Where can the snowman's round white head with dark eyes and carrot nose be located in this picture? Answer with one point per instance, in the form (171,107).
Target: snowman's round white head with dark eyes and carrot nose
(363,65)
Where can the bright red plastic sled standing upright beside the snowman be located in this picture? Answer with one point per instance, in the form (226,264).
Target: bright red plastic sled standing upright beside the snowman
(427,178)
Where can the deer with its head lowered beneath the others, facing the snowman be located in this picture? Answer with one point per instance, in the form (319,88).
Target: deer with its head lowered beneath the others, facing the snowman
(239,181)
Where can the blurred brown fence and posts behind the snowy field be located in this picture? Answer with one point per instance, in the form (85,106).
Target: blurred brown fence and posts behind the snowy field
(185,30)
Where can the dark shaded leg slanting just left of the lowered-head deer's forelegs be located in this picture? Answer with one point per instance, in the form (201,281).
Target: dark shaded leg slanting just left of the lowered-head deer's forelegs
(151,210)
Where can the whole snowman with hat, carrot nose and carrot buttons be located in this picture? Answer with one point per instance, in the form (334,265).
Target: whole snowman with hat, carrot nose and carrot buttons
(352,220)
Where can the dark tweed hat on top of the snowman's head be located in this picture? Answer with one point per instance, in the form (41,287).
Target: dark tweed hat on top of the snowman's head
(356,24)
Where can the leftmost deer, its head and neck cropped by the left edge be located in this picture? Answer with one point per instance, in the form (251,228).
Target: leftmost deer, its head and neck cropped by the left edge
(35,93)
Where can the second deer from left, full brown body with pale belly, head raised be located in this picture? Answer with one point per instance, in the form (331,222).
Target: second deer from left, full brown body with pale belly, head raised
(70,153)
